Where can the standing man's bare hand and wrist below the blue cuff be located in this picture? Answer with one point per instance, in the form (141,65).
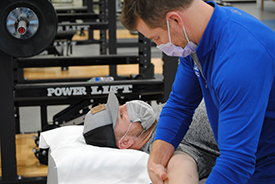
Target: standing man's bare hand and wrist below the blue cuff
(159,157)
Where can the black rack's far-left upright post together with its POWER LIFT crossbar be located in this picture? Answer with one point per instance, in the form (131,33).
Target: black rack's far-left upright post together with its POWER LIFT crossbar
(14,94)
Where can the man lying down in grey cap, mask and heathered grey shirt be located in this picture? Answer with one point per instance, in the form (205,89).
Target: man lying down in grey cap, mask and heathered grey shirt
(133,125)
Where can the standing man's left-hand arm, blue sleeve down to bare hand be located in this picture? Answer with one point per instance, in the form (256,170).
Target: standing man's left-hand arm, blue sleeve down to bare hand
(175,119)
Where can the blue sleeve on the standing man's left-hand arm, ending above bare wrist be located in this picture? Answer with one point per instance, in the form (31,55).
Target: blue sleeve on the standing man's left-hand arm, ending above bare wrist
(177,114)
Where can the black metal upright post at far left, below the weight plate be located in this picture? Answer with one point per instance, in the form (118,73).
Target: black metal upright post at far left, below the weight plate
(7,120)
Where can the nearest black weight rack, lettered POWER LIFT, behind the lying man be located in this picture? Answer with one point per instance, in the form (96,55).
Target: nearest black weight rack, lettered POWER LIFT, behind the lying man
(16,92)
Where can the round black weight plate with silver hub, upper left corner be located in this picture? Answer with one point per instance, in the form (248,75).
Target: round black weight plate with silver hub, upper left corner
(27,27)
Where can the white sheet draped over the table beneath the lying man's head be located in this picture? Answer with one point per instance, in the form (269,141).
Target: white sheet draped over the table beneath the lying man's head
(77,162)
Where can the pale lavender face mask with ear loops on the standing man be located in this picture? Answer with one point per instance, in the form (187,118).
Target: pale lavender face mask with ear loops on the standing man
(172,50)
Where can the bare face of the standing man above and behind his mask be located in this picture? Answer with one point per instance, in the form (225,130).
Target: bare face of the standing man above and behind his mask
(160,35)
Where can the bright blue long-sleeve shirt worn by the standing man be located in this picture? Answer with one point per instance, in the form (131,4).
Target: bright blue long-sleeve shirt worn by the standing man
(237,55)
